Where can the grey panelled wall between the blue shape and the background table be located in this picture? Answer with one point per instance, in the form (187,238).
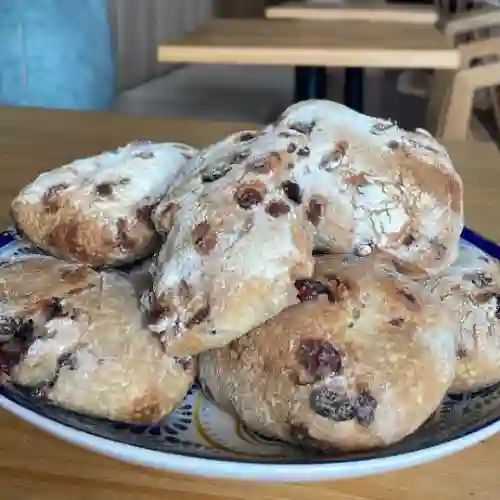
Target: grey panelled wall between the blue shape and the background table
(138,26)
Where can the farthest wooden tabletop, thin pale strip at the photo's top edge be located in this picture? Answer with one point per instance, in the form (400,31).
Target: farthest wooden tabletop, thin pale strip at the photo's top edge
(363,11)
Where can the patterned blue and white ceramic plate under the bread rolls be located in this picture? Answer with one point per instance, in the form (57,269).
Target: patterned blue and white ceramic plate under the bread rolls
(199,438)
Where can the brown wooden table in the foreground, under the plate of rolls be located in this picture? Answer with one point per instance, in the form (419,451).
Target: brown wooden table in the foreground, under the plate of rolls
(36,466)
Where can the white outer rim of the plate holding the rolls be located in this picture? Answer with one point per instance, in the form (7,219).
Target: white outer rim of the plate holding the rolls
(223,468)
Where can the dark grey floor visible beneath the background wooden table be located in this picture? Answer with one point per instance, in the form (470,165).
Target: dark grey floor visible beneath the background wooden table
(259,93)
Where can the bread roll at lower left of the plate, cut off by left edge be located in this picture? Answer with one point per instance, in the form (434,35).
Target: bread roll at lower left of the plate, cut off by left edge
(76,337)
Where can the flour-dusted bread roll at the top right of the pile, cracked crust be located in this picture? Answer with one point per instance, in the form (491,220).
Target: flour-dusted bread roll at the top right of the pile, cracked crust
(366,184)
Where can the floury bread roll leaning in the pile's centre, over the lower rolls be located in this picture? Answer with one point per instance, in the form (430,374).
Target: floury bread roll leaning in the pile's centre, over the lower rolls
(234,249)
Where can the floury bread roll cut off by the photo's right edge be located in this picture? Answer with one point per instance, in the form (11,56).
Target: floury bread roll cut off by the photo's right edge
(470,290)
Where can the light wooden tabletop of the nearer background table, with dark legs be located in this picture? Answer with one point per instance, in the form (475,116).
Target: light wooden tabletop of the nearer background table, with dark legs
(309,43)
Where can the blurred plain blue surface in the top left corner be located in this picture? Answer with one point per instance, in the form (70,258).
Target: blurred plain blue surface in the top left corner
(56,53)
